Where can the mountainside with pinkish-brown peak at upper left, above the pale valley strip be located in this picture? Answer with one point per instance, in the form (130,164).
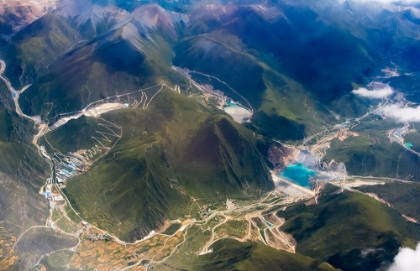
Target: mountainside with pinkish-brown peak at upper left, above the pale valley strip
(134,55)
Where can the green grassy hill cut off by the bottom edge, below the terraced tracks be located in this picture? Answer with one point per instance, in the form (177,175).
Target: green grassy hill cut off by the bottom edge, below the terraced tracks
(229,254)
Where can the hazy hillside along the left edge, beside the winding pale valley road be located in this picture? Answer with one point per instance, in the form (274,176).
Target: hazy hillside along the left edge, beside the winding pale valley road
(20,169)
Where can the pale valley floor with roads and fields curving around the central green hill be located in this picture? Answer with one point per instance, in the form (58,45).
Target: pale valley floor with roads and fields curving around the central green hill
(245,221)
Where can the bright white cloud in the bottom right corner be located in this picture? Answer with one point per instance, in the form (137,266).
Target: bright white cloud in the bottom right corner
(407,260)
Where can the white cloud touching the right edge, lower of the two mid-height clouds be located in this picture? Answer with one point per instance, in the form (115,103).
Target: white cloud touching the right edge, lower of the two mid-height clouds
(400,113)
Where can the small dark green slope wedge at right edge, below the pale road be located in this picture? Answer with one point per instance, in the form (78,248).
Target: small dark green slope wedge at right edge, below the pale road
(405,197)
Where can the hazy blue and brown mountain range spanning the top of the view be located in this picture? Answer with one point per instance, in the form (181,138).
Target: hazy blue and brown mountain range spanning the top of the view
(264,51)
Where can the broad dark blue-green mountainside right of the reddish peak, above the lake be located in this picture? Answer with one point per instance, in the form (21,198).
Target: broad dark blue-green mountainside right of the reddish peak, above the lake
(249,48)
